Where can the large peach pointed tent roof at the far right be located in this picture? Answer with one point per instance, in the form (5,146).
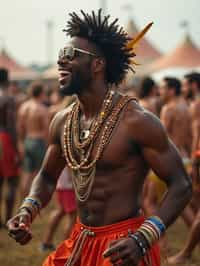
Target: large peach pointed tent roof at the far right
(185,55)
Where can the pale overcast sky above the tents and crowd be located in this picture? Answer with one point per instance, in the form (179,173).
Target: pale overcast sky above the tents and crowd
(23,23)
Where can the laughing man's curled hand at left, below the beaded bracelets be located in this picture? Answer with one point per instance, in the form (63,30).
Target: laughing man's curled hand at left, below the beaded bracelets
(19,227)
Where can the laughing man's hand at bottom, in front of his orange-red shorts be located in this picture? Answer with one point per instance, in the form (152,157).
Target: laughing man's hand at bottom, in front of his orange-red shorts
(123,252)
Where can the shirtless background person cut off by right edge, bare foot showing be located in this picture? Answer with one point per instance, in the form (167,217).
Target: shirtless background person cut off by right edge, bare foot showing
(194,233)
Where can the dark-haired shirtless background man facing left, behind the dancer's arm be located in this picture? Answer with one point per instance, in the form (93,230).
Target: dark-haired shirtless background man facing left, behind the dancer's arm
(175,116)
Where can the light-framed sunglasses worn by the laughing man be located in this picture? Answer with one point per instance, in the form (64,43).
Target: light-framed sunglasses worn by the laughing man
(69,52)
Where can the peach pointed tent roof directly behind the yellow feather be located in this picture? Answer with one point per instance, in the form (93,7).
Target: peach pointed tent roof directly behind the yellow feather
(145,50)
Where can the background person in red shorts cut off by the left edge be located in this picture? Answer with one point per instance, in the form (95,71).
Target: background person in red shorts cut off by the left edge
(8,151)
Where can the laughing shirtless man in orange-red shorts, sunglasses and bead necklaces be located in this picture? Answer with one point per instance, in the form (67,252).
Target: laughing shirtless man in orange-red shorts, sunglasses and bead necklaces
(109,158)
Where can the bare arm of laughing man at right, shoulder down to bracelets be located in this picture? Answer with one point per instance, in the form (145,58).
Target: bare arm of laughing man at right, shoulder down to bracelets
(164,159)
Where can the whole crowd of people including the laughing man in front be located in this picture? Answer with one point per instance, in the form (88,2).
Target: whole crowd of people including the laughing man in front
(125,164)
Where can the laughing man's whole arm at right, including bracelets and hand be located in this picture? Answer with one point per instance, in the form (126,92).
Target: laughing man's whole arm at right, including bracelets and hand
(164,159)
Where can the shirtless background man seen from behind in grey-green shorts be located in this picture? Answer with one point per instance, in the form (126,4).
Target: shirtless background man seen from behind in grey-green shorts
(32,127)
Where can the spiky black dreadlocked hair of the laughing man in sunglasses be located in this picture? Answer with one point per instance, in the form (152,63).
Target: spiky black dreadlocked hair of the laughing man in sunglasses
(109,38)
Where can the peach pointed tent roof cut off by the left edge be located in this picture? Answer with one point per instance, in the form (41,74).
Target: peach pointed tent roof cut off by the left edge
(17,71)
